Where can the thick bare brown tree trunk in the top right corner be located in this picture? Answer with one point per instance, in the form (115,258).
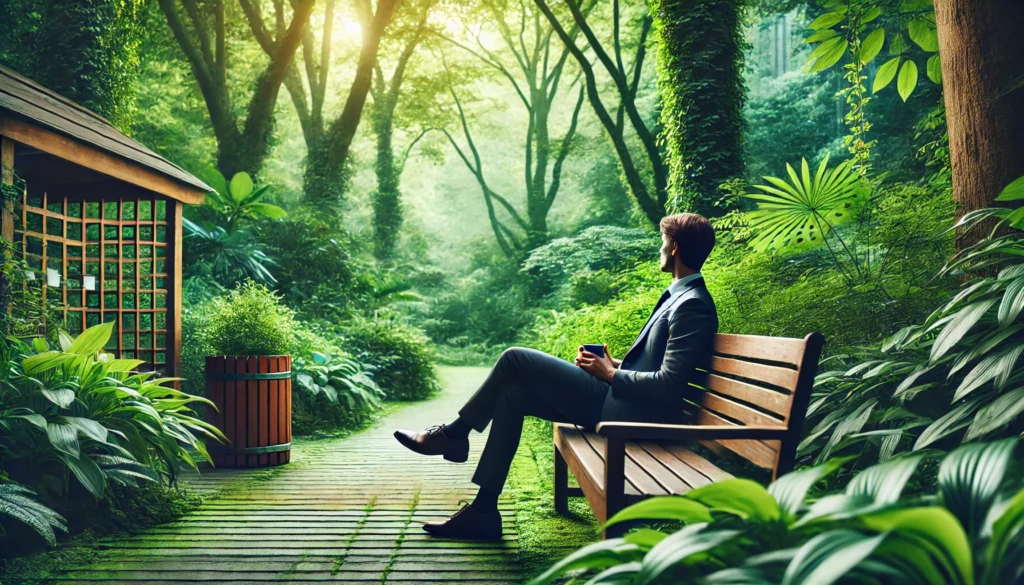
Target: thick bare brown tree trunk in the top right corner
(983,51)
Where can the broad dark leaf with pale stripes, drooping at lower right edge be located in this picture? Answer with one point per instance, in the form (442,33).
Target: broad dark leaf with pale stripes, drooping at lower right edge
(970,479)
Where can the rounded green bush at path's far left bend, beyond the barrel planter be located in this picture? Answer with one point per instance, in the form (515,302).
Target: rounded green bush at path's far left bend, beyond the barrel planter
(403,362)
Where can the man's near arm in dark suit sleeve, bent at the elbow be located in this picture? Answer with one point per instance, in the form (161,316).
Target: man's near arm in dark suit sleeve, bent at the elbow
(692,332)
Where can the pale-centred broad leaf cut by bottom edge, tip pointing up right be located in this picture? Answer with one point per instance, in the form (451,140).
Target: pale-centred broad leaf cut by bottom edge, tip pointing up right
(830,557)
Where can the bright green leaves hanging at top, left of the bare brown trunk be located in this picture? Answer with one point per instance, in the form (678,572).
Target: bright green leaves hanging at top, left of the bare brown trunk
(864,28)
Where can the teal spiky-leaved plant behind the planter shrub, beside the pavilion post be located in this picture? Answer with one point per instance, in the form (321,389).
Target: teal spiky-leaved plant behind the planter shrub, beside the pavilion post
(229,255)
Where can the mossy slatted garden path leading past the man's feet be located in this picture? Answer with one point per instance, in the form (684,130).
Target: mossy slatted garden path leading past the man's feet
(346,511)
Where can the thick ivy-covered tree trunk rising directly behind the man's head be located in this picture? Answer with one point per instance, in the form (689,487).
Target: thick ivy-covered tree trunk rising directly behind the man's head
(700,60)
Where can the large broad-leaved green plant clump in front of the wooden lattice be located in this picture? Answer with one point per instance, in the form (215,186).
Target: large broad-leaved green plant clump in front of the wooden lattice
(78,413)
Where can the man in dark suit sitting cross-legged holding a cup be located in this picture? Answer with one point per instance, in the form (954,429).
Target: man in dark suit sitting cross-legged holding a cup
(649,385)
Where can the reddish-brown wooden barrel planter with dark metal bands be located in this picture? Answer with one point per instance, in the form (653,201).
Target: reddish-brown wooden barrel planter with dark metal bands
(253,396)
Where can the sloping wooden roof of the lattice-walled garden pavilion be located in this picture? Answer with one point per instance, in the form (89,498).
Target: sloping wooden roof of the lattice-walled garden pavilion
(42,119)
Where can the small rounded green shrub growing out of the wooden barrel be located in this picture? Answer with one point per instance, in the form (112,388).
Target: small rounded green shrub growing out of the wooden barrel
(250,321)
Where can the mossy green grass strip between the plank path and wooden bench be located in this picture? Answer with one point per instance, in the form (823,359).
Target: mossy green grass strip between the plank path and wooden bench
(545,537)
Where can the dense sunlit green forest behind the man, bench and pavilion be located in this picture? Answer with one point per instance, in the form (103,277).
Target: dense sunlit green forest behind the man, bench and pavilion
(408,184)
